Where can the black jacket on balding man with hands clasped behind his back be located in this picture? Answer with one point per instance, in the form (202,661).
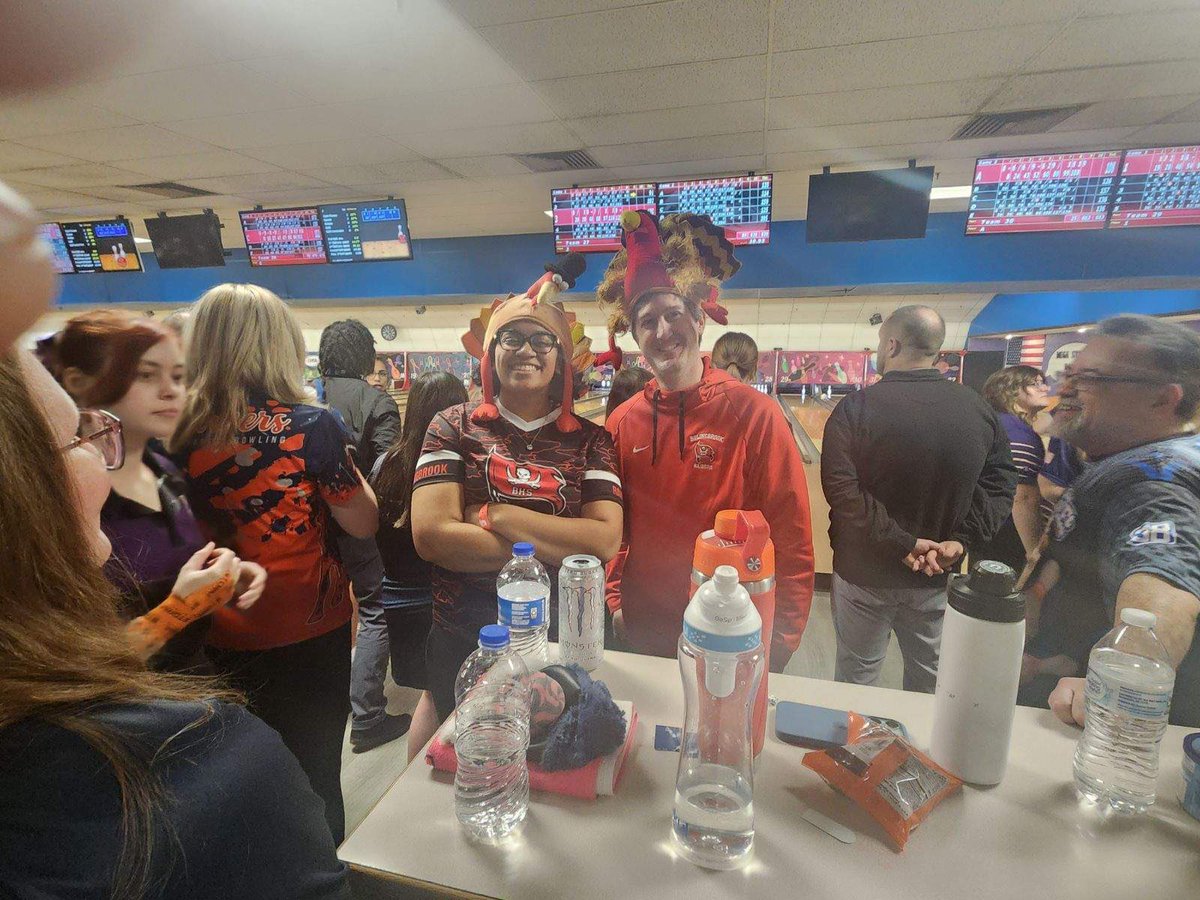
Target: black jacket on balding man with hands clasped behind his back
(911,457)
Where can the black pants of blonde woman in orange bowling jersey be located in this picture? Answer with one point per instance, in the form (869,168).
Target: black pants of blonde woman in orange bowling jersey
(303,692)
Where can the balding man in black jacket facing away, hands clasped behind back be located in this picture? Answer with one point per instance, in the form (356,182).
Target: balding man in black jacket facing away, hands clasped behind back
(916,470)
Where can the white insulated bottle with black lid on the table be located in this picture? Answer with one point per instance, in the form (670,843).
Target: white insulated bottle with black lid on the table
(979,674)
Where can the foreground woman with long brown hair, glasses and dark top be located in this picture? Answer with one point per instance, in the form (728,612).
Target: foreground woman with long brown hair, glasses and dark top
(118,782)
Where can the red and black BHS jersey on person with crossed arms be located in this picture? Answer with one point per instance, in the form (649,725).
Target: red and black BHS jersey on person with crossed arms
(495,464)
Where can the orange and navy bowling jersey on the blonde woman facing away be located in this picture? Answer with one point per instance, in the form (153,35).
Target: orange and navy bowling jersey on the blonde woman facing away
(273,490)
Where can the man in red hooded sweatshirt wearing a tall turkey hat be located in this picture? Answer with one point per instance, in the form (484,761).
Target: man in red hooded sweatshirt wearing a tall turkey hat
(695,441)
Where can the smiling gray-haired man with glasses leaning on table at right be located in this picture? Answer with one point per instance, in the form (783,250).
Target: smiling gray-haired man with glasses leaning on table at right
(1127,531)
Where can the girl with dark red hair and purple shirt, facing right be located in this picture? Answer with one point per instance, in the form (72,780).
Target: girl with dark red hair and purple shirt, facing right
(127,373)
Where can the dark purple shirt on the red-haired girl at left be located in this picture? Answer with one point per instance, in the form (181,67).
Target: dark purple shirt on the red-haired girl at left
(149,549)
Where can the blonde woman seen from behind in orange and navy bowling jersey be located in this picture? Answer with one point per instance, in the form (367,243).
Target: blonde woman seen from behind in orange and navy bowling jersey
(269,472)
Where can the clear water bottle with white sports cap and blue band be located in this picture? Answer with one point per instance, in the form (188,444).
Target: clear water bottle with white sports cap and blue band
(721,659)
